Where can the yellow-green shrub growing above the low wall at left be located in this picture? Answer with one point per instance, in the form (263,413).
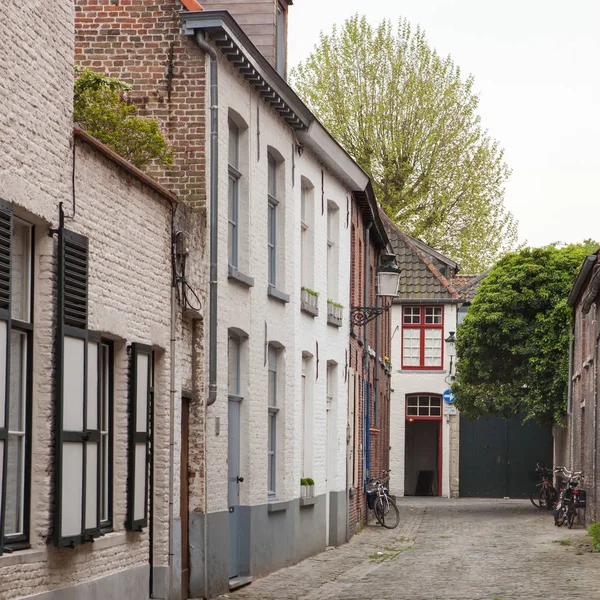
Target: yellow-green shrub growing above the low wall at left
(101,108)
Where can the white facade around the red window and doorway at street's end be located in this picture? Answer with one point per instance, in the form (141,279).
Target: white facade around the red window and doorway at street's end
(404,382)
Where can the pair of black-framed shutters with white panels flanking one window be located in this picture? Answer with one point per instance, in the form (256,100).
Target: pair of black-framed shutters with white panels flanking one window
(78,388)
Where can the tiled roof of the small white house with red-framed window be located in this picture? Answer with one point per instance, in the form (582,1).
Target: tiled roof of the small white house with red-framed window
(420,279)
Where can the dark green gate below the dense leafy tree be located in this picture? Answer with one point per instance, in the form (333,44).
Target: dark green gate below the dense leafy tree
(497,456)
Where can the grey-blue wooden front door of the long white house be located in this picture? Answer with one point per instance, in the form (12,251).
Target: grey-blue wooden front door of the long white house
(233,487)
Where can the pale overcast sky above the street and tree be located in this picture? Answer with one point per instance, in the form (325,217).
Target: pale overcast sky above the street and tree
(536,65)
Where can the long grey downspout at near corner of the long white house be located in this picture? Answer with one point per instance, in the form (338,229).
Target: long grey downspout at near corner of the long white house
(214,213)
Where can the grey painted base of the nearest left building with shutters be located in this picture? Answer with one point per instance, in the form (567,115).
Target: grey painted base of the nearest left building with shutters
(132,584)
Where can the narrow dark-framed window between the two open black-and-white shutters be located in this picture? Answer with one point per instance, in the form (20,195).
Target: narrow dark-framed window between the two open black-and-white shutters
(105,379)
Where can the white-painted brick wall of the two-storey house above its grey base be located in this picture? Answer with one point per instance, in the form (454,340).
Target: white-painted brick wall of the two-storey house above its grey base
(248,309)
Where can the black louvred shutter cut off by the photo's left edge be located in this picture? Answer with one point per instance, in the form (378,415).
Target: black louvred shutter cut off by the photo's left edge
(6,225)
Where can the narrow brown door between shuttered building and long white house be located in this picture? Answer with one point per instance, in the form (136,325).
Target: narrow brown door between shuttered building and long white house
(184,495)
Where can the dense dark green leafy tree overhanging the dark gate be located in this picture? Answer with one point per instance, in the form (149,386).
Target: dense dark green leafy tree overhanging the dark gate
(513,346)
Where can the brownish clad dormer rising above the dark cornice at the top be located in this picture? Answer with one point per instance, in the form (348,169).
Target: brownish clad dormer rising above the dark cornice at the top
(264,22)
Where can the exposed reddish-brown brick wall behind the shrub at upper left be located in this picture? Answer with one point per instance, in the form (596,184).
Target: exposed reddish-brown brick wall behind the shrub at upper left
(141,43)
